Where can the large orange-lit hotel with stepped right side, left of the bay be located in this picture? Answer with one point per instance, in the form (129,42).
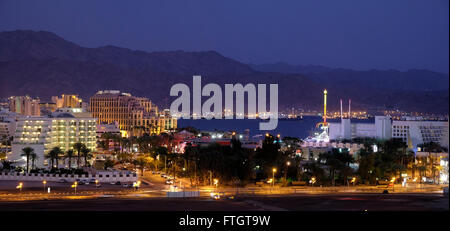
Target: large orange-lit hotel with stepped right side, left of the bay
(134,115)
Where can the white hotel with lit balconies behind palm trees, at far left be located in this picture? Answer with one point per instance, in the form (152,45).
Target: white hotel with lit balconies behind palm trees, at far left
(65,127)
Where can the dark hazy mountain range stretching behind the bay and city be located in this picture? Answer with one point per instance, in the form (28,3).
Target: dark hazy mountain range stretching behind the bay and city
(42,64)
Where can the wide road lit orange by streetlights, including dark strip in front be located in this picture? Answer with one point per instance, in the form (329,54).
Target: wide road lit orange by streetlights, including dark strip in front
(151,196)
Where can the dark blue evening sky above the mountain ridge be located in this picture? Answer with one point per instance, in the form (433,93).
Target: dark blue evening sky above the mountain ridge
(372,34)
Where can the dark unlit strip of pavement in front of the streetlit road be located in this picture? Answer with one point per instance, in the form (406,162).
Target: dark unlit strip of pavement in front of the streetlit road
(332,202)
